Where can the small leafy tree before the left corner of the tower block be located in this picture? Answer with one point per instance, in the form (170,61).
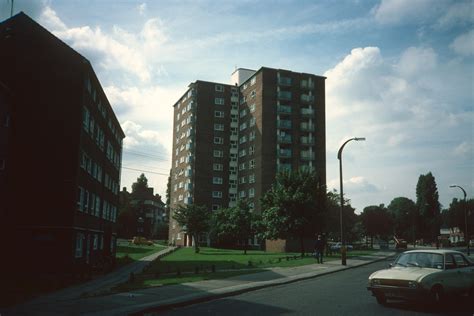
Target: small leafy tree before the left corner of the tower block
(194,219)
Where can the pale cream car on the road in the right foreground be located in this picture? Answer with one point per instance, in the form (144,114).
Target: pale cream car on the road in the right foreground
(424,274)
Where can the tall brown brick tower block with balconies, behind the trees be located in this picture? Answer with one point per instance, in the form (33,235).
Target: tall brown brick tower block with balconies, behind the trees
(231,140)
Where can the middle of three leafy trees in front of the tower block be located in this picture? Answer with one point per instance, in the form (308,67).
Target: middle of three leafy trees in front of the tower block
(236,223)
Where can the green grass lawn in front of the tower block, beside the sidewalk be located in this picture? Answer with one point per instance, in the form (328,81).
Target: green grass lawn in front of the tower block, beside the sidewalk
(184,265)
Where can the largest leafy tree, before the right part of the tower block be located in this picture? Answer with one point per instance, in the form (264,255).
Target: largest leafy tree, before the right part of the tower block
(292,207)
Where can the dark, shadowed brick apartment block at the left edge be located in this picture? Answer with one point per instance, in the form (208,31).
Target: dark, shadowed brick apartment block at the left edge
(60,155)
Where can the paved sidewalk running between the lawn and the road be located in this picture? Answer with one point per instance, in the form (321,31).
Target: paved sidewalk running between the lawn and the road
(161,298)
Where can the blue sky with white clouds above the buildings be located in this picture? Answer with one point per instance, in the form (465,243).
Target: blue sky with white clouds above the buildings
(399,72)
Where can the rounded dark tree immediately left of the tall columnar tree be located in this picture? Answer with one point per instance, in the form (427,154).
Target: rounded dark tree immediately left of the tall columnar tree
(405,216)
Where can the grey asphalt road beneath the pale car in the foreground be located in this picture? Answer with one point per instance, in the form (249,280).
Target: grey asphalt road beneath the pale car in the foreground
(341,293)
